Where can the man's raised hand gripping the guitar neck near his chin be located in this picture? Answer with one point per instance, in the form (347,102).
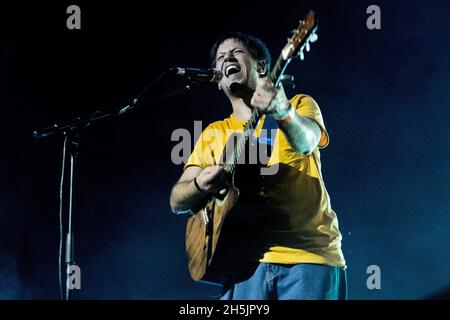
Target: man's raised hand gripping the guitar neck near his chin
(269,99)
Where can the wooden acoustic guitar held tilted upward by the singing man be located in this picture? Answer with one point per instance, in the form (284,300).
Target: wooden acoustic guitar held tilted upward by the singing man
(216,233)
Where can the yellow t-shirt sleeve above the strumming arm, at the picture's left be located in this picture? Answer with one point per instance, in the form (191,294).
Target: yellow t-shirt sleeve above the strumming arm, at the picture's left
(203,154)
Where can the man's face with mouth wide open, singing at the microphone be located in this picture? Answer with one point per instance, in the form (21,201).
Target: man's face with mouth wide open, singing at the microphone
(237,65)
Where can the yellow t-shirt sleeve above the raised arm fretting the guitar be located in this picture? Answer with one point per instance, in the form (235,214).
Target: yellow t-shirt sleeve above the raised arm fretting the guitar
(305,106)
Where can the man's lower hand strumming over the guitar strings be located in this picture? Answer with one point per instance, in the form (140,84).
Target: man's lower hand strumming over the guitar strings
(213,180)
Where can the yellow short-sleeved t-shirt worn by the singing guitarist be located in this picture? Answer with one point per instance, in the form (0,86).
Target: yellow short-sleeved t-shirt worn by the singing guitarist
(298,224)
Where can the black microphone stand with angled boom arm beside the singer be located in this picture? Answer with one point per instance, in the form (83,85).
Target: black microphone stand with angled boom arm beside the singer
(70,130)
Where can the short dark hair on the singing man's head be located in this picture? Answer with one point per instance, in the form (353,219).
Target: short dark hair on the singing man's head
(256,47)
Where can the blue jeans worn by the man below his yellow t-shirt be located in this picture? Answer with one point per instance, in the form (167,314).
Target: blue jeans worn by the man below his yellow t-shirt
(304,281)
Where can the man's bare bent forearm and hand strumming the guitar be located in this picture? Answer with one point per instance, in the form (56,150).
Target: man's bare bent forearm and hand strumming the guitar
(185,195)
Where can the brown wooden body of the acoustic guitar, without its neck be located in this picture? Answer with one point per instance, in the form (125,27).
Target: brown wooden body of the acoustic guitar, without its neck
(211,260)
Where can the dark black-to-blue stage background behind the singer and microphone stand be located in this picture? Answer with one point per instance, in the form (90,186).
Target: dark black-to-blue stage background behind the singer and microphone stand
(384,95)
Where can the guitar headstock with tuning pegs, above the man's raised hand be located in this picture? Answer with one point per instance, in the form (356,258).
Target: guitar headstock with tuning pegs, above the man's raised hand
(301,37)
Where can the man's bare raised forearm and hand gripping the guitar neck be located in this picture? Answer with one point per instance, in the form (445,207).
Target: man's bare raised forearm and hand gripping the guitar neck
(302,133)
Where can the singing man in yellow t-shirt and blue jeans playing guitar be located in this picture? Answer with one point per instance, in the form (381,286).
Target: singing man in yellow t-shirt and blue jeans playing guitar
(296,238)
